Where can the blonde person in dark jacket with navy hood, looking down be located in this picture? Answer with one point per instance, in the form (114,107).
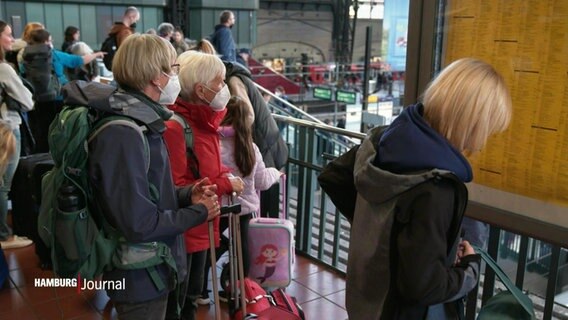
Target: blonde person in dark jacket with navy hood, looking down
(407,259)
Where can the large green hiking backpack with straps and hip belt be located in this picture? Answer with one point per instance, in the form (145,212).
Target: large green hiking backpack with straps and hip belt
(82,243)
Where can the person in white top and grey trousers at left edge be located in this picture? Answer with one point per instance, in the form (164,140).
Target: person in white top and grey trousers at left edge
(11,87)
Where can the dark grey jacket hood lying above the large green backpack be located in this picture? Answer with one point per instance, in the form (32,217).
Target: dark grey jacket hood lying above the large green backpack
(106,98)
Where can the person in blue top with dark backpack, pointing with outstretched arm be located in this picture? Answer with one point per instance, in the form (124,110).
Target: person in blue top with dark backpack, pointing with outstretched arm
(44,67)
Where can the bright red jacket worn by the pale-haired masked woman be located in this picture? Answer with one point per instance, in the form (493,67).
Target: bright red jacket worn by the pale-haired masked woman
(204,123)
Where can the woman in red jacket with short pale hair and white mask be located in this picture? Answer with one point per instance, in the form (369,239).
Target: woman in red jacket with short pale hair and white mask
(201,103)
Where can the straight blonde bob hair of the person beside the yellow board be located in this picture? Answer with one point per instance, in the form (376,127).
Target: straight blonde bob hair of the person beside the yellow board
(466,103)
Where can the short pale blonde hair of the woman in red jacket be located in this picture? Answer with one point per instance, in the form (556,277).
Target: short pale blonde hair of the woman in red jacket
(198,67)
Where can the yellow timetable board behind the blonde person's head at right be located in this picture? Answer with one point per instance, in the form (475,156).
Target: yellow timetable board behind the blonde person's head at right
(527,42)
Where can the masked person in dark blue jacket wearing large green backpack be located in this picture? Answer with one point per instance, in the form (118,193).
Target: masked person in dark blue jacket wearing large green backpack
(130,178)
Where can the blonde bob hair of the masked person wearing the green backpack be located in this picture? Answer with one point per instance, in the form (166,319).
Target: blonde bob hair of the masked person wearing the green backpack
(140,59)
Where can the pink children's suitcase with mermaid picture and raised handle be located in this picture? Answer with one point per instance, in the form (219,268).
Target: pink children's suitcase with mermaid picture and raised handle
(271,248)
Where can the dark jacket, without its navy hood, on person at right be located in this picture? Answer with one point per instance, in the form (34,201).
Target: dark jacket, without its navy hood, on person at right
(403,243)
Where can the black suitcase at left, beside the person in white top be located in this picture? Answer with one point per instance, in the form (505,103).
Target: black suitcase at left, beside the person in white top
(26,199)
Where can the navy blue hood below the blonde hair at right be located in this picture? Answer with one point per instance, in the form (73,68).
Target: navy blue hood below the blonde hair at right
(411,145)
